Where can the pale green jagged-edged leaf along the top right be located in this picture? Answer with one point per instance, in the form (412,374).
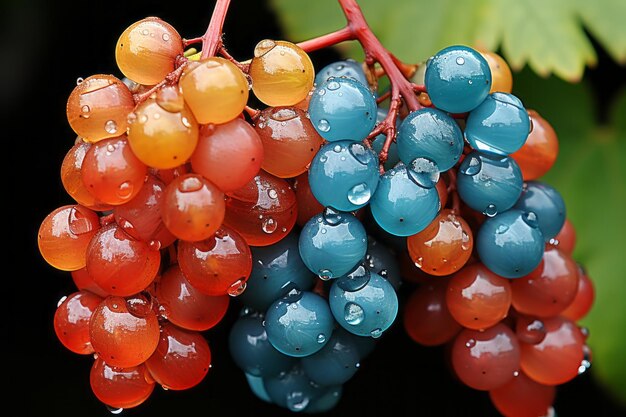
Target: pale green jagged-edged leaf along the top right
(548,35)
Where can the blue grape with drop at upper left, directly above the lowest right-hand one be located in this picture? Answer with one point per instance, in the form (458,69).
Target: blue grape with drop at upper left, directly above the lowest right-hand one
(488,183)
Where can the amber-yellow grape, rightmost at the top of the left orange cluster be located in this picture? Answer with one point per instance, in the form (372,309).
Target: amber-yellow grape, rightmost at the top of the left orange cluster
(282,73)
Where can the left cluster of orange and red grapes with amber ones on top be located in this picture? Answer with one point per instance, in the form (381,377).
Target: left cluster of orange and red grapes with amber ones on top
(171,187)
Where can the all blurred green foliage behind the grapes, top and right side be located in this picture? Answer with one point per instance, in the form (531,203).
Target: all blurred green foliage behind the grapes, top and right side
(550,40)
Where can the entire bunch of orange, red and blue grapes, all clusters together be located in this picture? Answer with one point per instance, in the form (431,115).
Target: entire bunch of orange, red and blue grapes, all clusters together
(309,211)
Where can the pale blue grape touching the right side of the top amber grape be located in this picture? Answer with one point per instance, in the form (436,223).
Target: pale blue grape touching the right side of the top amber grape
(343,109)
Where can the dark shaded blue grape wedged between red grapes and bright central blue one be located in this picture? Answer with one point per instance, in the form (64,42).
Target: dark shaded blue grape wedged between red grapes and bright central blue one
(276,269)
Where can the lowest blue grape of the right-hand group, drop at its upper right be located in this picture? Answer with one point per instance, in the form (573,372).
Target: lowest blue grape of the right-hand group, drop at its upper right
(510,244)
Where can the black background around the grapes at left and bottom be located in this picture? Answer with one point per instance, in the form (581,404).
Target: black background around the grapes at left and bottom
(45,46)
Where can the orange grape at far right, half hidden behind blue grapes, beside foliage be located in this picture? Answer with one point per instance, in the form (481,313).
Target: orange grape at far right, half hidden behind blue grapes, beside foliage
(539,152)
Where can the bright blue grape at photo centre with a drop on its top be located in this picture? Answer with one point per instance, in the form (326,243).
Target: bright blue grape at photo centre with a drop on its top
(332,243)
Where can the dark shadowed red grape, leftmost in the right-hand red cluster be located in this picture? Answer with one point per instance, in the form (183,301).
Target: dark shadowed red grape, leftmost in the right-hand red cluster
(426,318)
